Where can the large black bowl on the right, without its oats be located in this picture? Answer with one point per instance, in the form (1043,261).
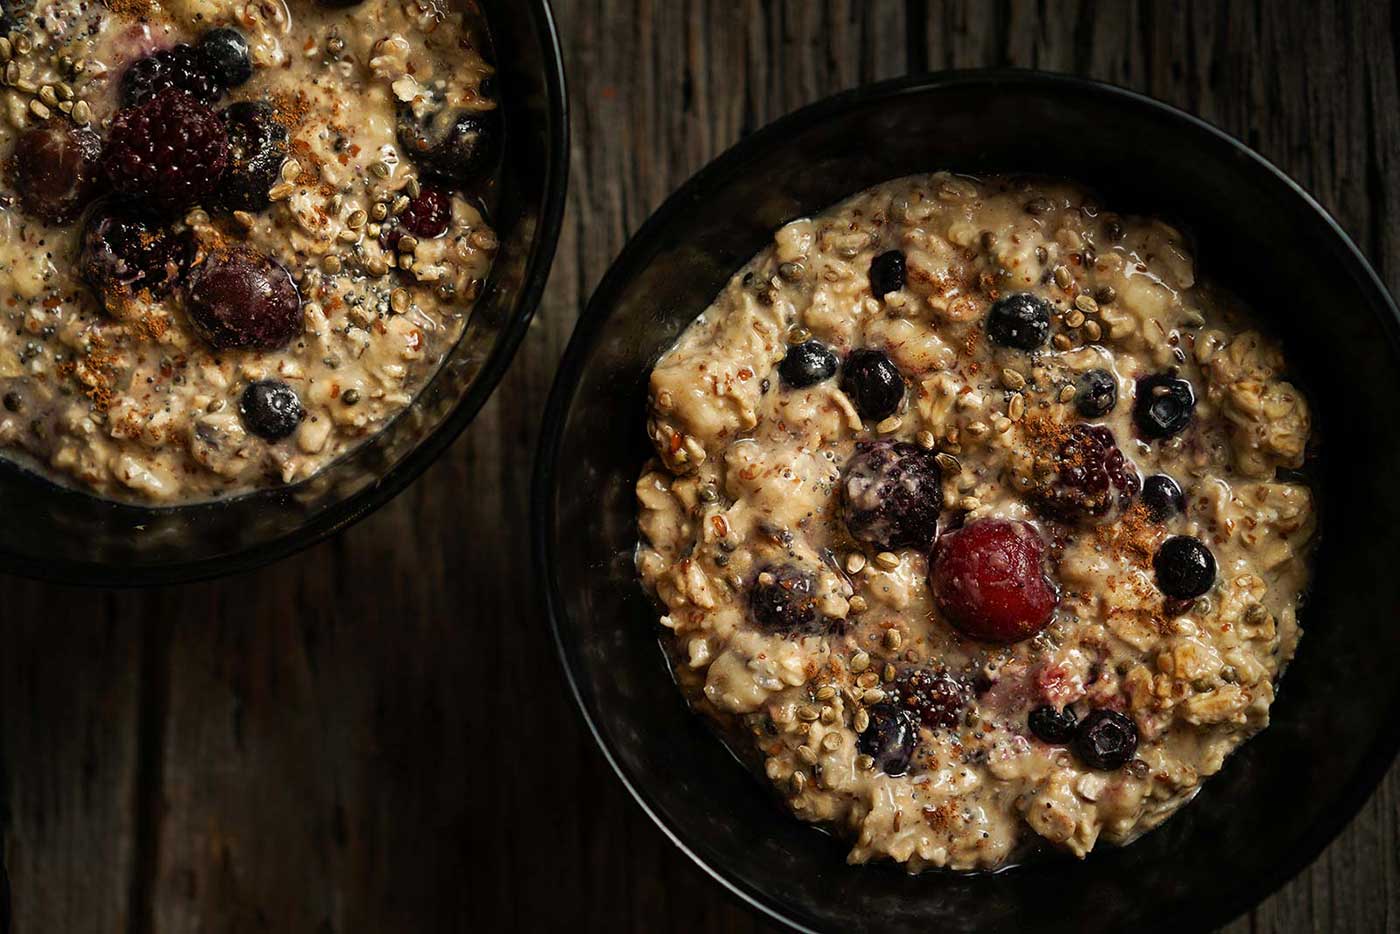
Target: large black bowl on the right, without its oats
(1338,720)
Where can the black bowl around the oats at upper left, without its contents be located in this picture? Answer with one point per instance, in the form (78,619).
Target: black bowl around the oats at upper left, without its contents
(65,536)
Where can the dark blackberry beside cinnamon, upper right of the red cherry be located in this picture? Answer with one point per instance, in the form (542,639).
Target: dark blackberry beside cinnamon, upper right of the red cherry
(1090,477)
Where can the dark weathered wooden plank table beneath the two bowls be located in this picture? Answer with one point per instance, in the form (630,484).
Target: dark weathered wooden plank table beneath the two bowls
(373,736)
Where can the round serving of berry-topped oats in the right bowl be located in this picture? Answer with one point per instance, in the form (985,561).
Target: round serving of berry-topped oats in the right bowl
(978,520)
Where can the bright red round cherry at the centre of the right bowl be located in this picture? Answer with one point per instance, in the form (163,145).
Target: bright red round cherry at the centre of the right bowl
(989,580)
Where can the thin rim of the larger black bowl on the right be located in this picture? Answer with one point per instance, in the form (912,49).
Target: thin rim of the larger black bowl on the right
(1217,911)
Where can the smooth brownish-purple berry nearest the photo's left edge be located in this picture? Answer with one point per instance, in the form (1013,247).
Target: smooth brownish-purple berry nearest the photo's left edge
(55,170)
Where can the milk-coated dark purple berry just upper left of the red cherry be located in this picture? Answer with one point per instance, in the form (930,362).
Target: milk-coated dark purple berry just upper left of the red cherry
(892,494)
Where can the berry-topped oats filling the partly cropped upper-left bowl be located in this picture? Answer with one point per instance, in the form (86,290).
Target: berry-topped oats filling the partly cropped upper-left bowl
(236,237)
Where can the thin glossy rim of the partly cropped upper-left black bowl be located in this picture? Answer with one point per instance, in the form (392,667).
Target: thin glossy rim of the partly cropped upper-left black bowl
(342,516)
